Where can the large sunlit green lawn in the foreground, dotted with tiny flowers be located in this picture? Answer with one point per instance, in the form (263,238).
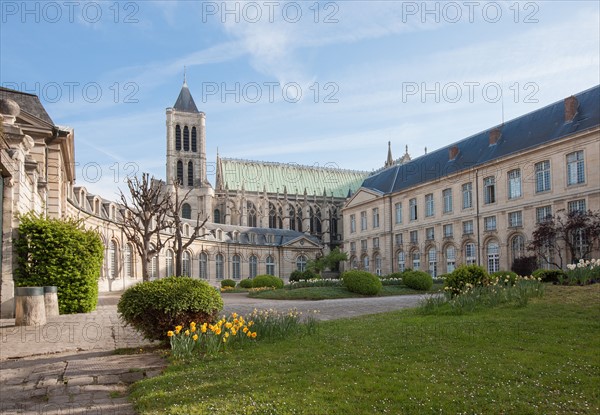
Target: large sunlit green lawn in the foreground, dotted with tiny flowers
(540,359)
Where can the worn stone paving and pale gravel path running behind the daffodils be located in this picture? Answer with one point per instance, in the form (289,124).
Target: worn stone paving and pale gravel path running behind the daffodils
(69,365)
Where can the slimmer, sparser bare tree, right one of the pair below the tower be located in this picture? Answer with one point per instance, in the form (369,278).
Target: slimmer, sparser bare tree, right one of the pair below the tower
(175,217)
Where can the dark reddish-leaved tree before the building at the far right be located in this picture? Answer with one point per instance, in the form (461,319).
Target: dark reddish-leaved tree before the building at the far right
(578,232)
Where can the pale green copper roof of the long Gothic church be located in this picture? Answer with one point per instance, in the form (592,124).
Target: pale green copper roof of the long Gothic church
(257,176)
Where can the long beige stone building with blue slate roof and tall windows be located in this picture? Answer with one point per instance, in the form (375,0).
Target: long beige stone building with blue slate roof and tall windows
(477,201)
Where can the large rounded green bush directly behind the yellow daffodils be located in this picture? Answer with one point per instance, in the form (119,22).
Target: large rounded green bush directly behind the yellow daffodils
(155,307)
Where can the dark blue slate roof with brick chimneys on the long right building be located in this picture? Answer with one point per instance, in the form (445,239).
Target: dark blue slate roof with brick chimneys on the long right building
(528,131)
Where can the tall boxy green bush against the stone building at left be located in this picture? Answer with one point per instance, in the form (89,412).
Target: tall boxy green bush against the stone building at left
(60,252)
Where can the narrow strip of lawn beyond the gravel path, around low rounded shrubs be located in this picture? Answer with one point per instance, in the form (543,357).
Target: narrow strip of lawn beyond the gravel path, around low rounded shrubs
(324,293)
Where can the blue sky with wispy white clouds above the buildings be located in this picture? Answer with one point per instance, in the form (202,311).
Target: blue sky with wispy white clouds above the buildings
(312,83)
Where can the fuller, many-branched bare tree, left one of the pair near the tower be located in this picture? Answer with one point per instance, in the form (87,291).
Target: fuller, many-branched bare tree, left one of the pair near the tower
(145,218)
